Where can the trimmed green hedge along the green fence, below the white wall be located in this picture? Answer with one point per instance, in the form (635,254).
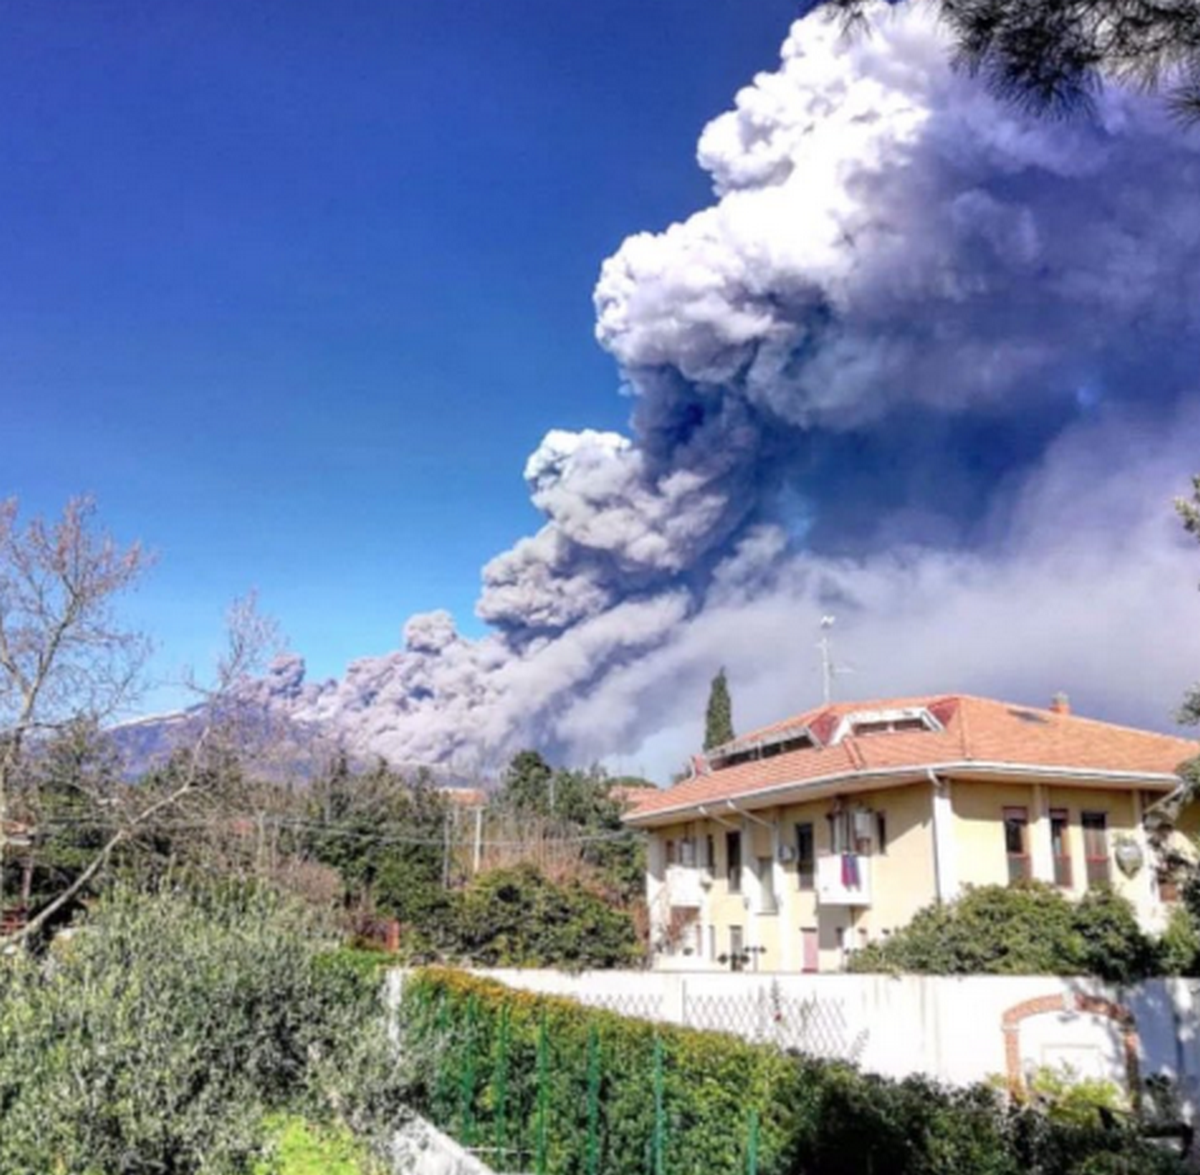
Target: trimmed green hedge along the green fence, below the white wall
(545,1086)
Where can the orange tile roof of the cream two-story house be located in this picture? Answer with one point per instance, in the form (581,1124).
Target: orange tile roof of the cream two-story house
(976,732)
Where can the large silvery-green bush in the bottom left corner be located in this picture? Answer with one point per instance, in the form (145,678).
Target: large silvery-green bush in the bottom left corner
(158,1038)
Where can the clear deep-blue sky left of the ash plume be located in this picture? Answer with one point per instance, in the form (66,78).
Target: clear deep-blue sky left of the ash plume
(295,289)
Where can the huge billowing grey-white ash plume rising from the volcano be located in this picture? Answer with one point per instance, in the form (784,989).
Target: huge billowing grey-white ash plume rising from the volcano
(926,362)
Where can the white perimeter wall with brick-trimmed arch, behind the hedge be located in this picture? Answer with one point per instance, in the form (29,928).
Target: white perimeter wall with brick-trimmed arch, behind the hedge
(950,1028)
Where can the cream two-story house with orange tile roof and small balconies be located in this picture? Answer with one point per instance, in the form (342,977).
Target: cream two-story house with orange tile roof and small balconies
(797,843)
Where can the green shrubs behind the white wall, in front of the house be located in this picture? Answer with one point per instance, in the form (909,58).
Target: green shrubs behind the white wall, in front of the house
(1027,930)
